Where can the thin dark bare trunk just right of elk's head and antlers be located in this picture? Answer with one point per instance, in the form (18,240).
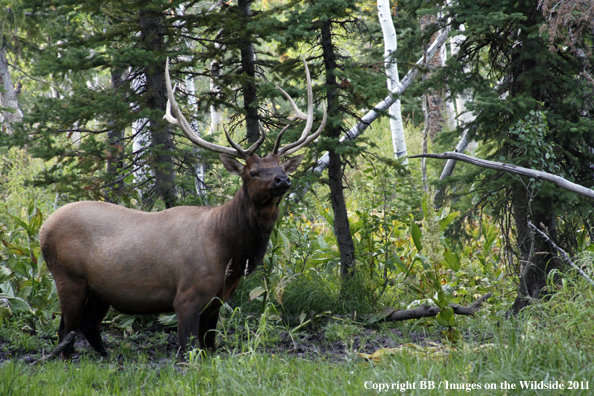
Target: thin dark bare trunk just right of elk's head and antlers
(342,230)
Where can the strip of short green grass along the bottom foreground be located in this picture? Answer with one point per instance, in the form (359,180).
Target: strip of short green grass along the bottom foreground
(515,355)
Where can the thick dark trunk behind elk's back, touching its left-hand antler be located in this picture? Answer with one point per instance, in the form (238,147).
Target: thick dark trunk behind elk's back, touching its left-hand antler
(153,38)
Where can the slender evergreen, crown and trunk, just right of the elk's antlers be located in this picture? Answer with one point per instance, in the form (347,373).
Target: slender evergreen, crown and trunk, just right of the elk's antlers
(325,26)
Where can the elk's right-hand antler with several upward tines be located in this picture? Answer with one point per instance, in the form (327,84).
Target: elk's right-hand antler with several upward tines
(305,138)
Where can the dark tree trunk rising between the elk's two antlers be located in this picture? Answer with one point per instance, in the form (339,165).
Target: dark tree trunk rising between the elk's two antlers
(249,88)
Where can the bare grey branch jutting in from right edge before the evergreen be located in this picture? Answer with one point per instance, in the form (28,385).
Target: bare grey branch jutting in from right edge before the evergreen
(556,180)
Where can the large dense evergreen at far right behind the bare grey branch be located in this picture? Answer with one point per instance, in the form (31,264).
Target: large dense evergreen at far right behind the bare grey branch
(533,109)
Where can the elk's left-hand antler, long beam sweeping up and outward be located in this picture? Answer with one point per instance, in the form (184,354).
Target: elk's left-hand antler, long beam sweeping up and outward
(187,129)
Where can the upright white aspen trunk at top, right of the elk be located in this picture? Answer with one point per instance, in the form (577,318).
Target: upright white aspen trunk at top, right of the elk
(390,45)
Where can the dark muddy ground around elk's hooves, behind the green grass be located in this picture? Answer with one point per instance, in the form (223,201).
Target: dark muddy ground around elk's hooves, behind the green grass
(158,344)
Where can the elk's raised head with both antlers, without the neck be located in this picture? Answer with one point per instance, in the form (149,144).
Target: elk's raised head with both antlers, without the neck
(266,176)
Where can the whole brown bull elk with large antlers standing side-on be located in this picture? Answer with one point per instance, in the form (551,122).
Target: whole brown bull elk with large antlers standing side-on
(185,259)
